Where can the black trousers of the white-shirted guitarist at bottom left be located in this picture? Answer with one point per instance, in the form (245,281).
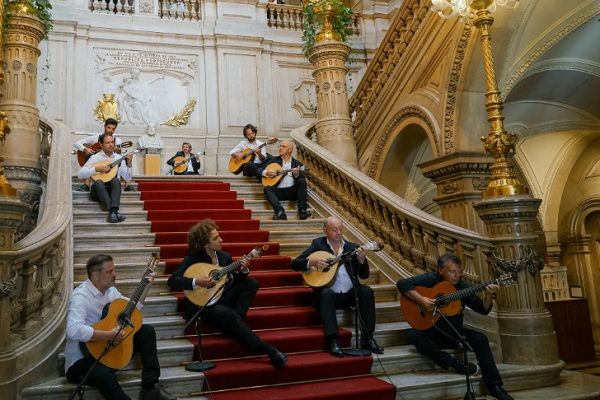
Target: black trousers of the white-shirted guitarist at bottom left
(104,378)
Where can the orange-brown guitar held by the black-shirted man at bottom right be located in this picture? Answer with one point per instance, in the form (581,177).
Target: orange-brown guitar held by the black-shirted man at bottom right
(447,298)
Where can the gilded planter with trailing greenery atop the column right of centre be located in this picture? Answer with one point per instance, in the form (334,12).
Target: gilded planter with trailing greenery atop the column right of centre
(325,19)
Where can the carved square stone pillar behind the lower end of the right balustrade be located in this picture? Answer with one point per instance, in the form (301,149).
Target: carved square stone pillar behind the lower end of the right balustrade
(460,179)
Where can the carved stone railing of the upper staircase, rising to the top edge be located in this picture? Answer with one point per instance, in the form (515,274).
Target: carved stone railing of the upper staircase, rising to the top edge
(391,50)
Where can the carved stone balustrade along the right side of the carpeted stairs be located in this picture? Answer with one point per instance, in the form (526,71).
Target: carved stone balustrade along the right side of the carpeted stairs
(413,238)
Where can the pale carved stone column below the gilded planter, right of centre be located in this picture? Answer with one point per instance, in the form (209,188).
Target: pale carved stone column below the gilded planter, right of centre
(335,131)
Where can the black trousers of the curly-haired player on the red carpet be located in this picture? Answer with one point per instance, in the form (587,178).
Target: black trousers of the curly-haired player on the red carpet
(227,314)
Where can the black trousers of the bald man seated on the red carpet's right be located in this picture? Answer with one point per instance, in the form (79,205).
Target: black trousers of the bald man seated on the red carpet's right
(329,301)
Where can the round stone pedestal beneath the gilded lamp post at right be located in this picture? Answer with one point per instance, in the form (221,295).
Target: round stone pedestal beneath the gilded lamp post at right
(526,329)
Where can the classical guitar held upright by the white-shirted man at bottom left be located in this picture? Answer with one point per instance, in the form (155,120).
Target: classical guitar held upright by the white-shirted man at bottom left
(123,313)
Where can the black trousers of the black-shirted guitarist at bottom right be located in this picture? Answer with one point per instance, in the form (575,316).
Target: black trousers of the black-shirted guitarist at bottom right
(431,342)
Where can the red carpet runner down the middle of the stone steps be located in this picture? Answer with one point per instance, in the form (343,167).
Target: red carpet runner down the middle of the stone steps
(281,313)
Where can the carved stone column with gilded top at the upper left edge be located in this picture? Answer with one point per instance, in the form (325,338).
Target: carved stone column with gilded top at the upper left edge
(21,151)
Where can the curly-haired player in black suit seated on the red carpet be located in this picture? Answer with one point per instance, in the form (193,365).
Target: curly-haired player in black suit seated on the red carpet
(227,312)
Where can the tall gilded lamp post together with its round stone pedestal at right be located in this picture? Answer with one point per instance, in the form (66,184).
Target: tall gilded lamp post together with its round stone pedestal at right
(510,216)
